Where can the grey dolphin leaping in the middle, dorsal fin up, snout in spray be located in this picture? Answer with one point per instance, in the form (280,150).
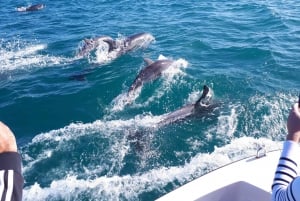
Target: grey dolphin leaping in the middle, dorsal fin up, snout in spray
(151,72)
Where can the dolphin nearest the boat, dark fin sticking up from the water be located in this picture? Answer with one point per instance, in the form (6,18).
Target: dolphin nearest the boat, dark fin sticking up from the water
(201,105)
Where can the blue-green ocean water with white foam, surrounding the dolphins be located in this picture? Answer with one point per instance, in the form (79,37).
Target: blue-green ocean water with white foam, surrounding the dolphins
(77,138)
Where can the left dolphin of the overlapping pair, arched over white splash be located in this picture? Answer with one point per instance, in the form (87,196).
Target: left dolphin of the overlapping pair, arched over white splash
(91,44)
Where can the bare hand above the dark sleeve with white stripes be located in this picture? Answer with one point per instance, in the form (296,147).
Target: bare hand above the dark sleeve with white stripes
(7,139)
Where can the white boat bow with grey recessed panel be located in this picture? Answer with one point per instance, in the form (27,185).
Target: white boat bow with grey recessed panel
(248,179)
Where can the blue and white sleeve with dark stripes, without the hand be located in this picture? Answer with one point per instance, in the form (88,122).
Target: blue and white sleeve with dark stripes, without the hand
(286,184)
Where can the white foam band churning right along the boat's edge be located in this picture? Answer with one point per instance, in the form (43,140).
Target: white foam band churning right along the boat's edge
(129,187)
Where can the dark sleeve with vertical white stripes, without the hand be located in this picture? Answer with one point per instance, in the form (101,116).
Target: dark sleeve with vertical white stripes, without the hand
(11,178)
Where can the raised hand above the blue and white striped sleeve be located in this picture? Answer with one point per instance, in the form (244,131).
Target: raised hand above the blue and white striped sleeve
(293,124)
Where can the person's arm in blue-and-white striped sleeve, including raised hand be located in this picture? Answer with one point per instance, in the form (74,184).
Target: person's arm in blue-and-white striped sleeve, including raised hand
(286,182)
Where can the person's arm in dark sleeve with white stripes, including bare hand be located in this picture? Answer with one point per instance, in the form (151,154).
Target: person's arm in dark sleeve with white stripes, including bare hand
(11,178)
